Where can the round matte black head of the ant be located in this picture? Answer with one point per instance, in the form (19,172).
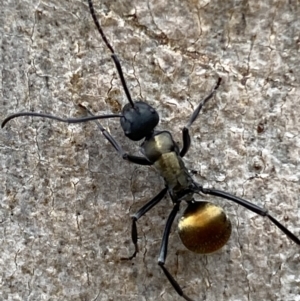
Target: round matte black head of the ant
(138,121)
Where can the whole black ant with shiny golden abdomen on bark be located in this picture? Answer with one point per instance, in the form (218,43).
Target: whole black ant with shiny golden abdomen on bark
(203,227)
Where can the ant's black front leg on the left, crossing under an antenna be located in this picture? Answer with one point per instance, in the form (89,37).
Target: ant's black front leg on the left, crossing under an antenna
(133,159)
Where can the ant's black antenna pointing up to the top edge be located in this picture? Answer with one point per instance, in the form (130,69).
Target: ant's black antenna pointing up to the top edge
(114,56)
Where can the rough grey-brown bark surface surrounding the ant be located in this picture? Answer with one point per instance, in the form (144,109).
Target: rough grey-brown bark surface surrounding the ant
(66,196)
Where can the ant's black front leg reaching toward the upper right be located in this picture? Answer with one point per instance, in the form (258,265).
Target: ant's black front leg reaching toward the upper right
(185,131)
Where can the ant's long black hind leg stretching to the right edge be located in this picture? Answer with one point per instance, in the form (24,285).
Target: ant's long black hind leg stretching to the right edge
(258,210)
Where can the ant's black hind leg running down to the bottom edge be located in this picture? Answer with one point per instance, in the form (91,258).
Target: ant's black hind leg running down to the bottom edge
(164,249)
